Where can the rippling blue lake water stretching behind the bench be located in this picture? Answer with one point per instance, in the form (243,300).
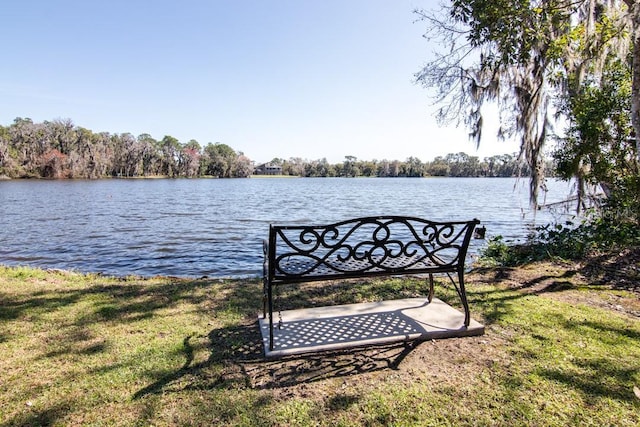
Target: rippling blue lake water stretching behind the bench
(215,227)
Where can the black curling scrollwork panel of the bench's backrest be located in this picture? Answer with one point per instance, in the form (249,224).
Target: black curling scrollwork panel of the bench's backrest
(382,245)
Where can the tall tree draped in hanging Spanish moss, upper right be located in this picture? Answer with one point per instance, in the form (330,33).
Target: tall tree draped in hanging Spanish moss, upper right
(525,55)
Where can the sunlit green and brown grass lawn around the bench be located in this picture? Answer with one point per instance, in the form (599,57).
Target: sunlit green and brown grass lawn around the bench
(91,350)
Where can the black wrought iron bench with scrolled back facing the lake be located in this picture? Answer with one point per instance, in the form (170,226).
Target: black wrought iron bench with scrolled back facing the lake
(362,248)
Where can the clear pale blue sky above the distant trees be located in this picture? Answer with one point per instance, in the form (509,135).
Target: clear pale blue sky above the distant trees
(270,78)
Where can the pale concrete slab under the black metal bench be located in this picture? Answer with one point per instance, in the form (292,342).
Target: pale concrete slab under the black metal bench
(355,325)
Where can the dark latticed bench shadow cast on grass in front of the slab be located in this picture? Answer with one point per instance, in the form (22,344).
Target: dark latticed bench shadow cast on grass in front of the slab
(236,361)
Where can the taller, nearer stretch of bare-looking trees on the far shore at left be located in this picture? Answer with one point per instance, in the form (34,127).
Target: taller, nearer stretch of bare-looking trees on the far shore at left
(58,149)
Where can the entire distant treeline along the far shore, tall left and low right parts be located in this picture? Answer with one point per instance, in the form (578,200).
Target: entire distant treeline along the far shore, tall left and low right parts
(59,149)
